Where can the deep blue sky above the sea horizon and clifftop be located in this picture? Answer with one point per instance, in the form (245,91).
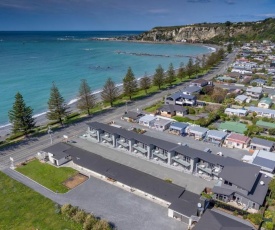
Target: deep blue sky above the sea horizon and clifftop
(52,15)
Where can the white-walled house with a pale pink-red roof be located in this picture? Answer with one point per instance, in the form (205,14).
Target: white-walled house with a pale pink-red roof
(235,140)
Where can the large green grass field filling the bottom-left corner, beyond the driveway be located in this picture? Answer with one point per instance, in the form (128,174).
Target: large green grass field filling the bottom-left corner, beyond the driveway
(22,208)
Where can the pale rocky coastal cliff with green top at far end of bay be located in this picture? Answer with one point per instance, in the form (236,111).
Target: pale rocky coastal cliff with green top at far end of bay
(213,32)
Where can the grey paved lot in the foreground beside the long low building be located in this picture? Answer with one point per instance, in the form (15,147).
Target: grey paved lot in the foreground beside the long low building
(126,210)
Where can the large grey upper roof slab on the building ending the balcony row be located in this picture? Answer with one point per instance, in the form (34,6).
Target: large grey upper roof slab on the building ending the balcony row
(239,173)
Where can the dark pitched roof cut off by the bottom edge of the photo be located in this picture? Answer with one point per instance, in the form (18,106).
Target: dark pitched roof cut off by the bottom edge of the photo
(216,221)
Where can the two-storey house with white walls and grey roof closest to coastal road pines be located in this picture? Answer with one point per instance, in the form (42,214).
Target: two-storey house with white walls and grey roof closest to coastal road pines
(179,98)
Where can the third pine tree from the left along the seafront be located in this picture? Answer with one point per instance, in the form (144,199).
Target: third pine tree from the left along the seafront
(86,98)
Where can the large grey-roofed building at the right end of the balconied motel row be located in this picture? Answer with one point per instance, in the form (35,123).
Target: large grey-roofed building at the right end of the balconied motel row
(242,184)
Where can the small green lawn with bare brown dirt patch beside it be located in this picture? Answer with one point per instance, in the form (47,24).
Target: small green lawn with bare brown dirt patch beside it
(47,175)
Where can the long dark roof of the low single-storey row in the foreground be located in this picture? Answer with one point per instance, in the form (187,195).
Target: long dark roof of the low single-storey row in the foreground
(136,179)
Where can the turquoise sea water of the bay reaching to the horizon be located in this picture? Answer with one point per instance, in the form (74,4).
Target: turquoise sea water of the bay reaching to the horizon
(31,61)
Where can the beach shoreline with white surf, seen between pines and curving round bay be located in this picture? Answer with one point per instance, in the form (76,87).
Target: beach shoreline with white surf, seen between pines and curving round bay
(41,119)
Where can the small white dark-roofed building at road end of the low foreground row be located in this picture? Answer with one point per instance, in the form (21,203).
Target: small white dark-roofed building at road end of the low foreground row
(57,153)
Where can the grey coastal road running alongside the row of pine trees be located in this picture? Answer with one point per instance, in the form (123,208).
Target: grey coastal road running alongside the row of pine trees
(28,148)
